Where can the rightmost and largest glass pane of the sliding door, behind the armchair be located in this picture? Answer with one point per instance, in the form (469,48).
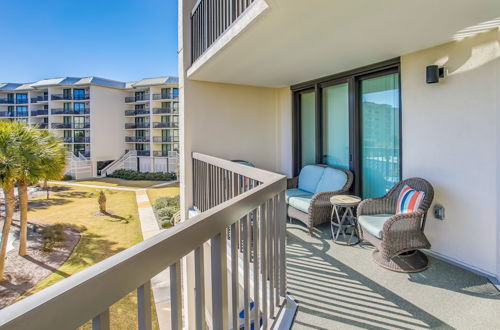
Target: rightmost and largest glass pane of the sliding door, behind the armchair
(380,140)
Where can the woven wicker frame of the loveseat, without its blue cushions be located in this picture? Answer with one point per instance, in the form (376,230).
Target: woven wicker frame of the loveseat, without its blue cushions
(320,207)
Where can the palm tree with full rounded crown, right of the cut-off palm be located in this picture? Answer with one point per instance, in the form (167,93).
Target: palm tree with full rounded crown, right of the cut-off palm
(43,158)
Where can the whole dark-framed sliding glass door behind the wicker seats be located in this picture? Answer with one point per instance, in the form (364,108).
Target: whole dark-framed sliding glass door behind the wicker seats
(352,120)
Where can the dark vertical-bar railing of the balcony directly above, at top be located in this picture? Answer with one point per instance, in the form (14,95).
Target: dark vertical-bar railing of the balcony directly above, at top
(210,19)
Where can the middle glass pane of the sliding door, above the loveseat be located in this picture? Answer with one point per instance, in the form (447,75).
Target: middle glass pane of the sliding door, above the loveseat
(336,125)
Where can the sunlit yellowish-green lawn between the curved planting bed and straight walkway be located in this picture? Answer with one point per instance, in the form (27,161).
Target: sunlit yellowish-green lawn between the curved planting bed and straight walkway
(101,237)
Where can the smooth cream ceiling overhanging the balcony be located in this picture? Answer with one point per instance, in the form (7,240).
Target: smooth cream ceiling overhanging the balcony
(299,40)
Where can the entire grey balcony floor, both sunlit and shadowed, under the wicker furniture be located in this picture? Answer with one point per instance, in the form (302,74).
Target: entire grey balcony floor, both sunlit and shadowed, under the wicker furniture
(340,287)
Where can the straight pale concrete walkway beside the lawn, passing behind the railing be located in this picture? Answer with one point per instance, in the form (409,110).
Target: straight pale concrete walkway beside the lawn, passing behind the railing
(160,284)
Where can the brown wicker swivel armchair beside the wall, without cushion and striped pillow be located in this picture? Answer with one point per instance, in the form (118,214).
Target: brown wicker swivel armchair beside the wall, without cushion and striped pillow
(402,234)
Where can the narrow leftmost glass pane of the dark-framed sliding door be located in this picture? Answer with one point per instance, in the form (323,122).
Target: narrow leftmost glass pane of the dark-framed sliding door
(307,129)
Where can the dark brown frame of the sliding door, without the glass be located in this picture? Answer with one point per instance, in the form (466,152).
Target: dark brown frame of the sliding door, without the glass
(353,78)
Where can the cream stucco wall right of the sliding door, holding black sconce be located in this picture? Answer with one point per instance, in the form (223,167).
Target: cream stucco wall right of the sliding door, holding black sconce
(450,137)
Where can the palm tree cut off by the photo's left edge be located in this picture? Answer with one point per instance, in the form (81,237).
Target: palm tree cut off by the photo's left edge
(9,171)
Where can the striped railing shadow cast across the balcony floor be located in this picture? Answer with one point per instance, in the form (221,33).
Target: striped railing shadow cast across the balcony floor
(332,295)
